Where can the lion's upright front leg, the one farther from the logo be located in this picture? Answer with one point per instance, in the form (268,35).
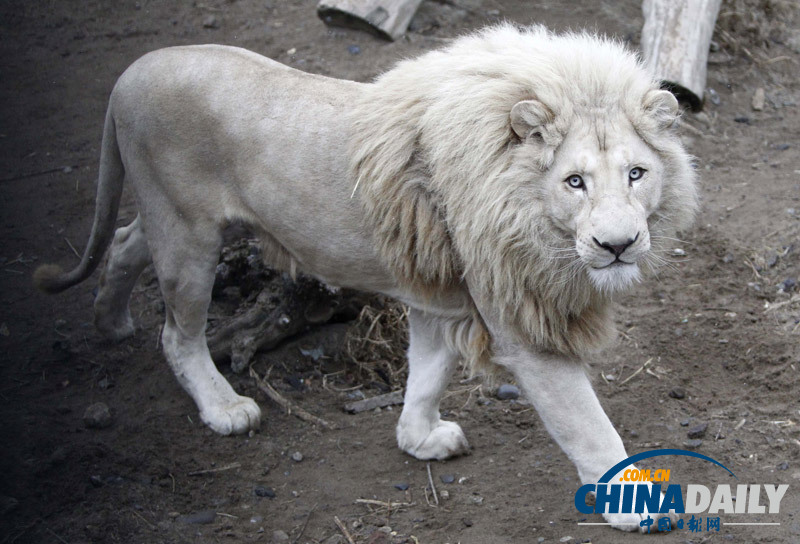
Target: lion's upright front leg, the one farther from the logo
(421,432)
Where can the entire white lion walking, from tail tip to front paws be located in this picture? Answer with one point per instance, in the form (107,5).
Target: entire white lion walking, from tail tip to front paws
(503,187)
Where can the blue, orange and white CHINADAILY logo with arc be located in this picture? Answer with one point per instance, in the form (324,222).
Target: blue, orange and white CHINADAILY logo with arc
(624,489)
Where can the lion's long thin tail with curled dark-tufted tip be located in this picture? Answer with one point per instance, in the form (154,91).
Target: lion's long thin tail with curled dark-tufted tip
(51,278)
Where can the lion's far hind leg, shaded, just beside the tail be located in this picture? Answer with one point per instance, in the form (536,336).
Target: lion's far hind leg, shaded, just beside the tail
(127,257)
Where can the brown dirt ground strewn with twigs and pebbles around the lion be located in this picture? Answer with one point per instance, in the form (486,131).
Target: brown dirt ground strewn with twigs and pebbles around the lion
(721,323)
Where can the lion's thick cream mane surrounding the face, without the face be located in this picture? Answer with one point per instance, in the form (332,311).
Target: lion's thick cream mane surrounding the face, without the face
(448,191)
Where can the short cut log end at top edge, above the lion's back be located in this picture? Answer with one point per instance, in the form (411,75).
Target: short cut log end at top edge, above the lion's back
(385,18)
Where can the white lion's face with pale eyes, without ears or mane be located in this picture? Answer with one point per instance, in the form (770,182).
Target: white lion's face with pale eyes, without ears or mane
(602,187)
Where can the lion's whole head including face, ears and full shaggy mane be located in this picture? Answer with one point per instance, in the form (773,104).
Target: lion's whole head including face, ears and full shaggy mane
(540,169)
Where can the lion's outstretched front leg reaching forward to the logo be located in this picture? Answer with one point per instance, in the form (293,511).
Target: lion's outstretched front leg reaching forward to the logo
(562,394)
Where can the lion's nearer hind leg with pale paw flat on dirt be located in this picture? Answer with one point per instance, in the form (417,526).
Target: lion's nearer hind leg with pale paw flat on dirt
(185,257)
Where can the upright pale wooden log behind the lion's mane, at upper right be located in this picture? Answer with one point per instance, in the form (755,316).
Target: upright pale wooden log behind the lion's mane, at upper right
(675,41)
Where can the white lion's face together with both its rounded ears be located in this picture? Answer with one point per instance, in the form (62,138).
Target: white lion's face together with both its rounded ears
(601,183)
